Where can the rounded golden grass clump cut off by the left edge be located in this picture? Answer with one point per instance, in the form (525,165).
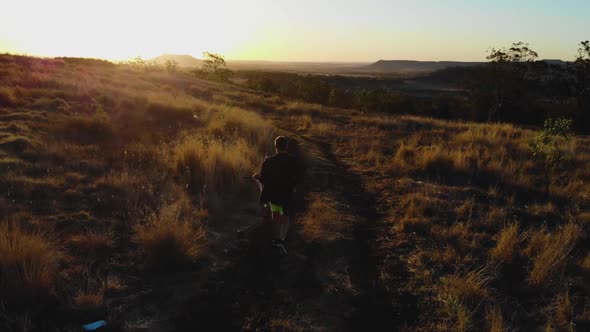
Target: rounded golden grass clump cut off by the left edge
(28,262)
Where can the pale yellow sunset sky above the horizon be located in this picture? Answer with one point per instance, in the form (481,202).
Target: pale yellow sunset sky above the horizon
(292,30)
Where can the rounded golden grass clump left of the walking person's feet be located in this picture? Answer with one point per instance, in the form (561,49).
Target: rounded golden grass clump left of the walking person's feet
(170,238)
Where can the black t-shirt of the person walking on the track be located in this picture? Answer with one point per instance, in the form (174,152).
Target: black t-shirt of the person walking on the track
(278,175)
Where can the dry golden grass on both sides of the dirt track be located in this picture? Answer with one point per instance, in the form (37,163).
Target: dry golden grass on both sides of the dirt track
(131,142)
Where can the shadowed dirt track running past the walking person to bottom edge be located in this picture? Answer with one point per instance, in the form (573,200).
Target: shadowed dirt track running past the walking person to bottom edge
(260,290)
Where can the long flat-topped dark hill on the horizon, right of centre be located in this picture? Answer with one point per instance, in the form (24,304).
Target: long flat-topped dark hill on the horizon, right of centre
(409,66)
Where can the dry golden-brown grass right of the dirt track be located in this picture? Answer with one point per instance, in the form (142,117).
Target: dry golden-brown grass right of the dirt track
(458,195)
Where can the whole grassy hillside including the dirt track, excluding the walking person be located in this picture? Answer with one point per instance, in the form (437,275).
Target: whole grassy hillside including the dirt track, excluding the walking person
(124,186)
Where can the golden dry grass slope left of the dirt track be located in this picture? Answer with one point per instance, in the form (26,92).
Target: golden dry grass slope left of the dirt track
(120,168)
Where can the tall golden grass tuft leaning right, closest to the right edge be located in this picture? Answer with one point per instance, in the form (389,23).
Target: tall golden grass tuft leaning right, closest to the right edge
(549,252)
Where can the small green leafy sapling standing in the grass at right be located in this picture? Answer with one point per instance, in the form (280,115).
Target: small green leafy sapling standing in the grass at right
(547,146)
